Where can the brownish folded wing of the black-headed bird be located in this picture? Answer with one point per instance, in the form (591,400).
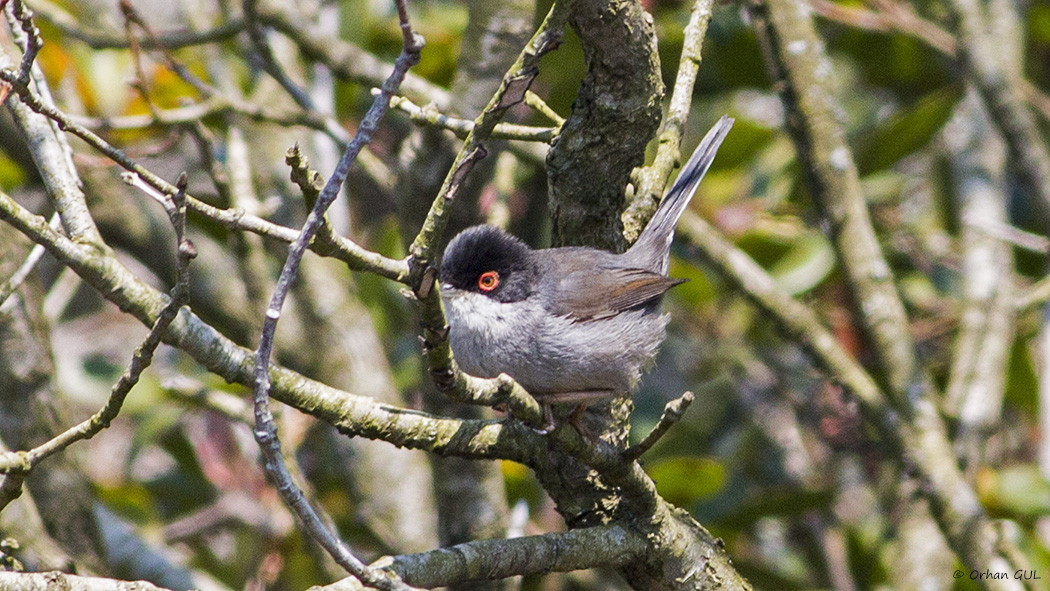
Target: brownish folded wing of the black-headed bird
(621,289)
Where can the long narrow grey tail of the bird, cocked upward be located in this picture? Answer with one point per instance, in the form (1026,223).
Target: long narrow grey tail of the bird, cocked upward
(654,246)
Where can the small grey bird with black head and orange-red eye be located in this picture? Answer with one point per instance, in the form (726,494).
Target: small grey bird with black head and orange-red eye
(572,324)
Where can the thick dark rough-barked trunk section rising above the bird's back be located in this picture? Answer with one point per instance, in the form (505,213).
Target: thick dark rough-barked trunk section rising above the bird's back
(615,116)
